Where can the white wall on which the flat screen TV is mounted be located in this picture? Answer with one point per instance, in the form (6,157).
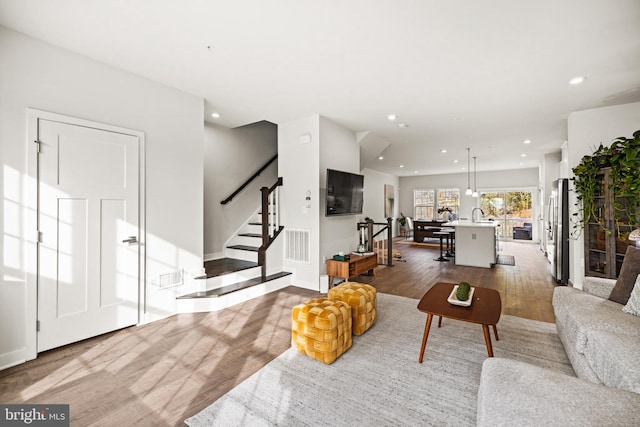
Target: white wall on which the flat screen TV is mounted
(340,151)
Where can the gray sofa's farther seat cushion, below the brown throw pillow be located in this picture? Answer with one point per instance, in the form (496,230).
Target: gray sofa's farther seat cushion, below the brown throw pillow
(579,312)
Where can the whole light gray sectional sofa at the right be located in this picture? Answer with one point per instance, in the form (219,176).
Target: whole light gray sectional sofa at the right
(603,345)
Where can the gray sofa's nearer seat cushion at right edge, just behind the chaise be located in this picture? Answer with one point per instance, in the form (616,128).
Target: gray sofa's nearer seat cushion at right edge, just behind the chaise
(615,358)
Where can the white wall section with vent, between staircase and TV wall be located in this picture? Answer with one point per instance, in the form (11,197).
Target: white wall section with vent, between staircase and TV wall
(298,165)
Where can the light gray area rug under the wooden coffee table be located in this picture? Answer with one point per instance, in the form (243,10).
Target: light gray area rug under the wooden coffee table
(379,382)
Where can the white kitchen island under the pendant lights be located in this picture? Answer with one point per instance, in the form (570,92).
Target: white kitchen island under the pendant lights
(476,242)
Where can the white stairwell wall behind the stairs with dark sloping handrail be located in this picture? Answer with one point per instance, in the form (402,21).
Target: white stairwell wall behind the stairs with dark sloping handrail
(225,149)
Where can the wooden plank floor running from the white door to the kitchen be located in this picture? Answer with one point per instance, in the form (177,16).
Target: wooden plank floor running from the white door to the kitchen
(161,373)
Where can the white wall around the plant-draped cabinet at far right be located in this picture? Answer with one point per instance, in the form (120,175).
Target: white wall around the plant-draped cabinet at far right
(587,129)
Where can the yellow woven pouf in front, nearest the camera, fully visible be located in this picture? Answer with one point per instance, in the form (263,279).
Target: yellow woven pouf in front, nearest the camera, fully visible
(321,329)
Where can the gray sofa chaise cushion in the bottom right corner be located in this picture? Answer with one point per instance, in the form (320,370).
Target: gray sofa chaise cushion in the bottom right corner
(516,393)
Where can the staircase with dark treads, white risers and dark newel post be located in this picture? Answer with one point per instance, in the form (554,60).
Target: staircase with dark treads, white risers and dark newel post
(242,274)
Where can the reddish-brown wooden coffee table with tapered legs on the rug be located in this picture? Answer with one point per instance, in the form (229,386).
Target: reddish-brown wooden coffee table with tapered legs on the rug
(485,309)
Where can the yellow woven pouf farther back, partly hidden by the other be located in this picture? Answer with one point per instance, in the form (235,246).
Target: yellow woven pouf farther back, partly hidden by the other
(362,299)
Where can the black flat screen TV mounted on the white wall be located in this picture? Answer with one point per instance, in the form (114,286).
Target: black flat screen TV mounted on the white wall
(345,193)
